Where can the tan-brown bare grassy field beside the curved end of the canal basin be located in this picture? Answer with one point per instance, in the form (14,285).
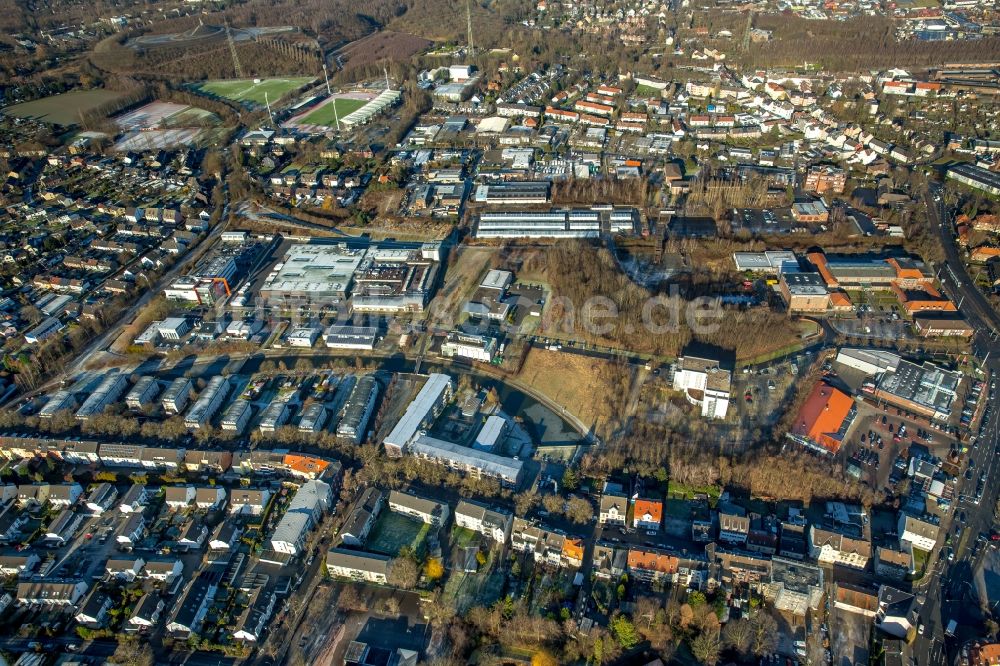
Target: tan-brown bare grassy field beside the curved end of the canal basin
(592,389)
